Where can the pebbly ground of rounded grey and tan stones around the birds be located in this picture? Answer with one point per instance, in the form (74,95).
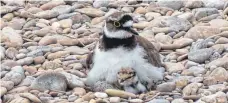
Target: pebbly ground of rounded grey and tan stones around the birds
(44,45)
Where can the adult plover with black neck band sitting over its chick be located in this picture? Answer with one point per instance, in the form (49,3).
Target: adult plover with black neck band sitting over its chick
(121,46)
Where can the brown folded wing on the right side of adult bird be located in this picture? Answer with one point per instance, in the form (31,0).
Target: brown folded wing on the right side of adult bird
(152,54)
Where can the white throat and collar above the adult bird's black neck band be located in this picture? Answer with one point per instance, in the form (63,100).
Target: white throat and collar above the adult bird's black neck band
(117,34)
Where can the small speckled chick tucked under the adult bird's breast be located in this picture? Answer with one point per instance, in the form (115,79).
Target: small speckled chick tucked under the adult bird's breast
(128,80)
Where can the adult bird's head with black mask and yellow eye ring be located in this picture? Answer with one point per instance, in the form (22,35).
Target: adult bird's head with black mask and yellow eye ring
(118,25)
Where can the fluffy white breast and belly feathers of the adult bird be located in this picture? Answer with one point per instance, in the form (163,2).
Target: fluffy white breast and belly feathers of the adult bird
(108,63)
